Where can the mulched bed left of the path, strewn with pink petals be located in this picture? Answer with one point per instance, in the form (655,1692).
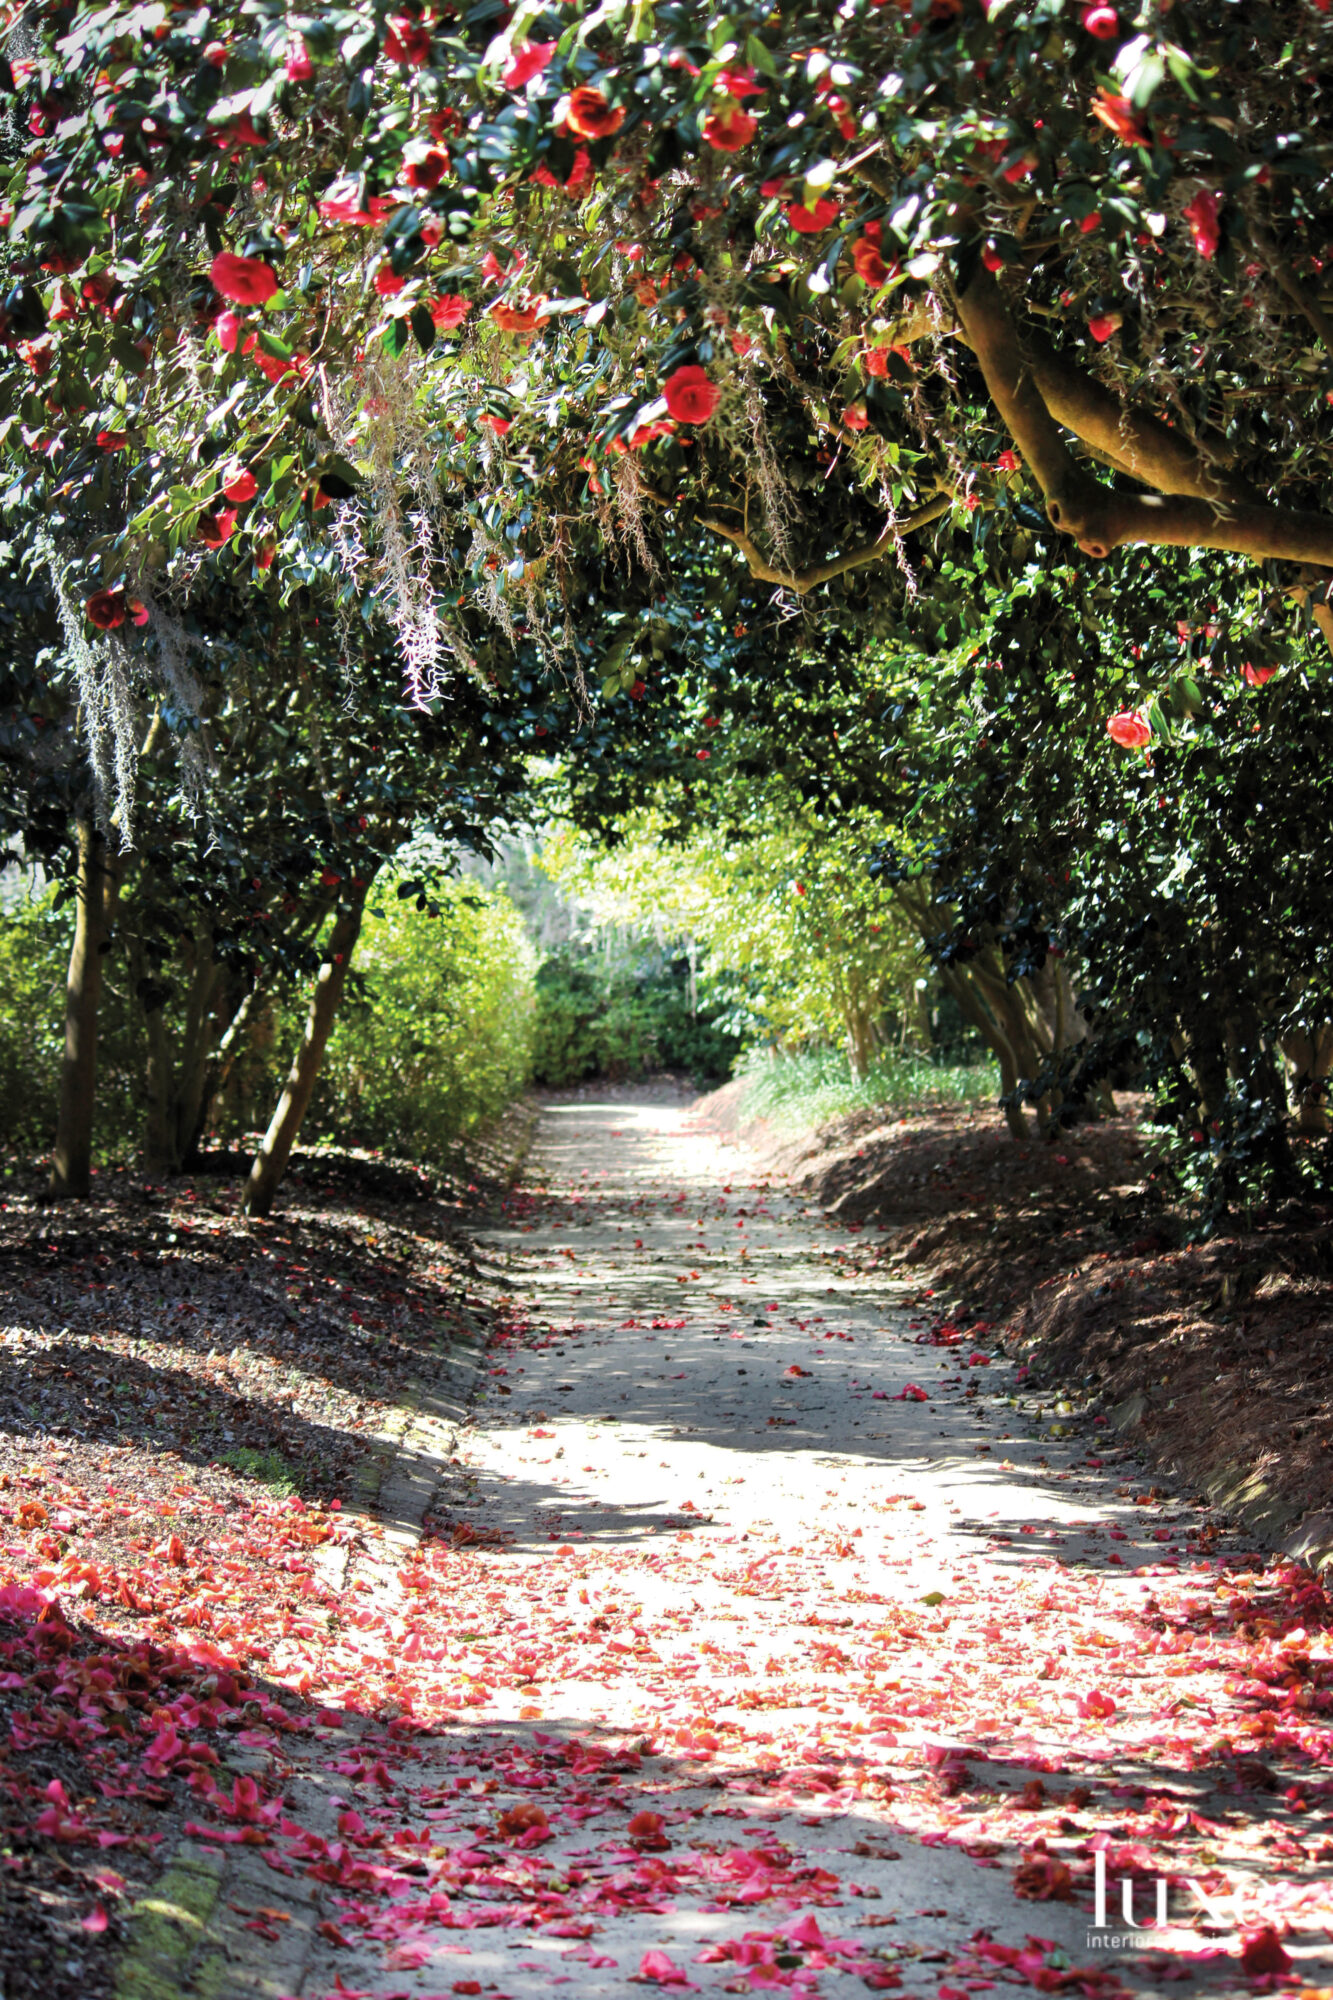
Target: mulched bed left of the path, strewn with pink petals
(187,1405)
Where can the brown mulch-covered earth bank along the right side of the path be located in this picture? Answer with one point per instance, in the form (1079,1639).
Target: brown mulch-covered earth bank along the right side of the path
(1212,1359)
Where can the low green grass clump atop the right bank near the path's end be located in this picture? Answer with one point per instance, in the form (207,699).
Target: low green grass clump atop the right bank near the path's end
(814,1087)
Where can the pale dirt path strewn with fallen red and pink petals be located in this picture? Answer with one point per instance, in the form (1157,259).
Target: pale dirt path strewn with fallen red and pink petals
(772,1639)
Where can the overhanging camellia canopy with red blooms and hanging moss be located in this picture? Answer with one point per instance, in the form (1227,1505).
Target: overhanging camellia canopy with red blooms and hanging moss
(449,299)
